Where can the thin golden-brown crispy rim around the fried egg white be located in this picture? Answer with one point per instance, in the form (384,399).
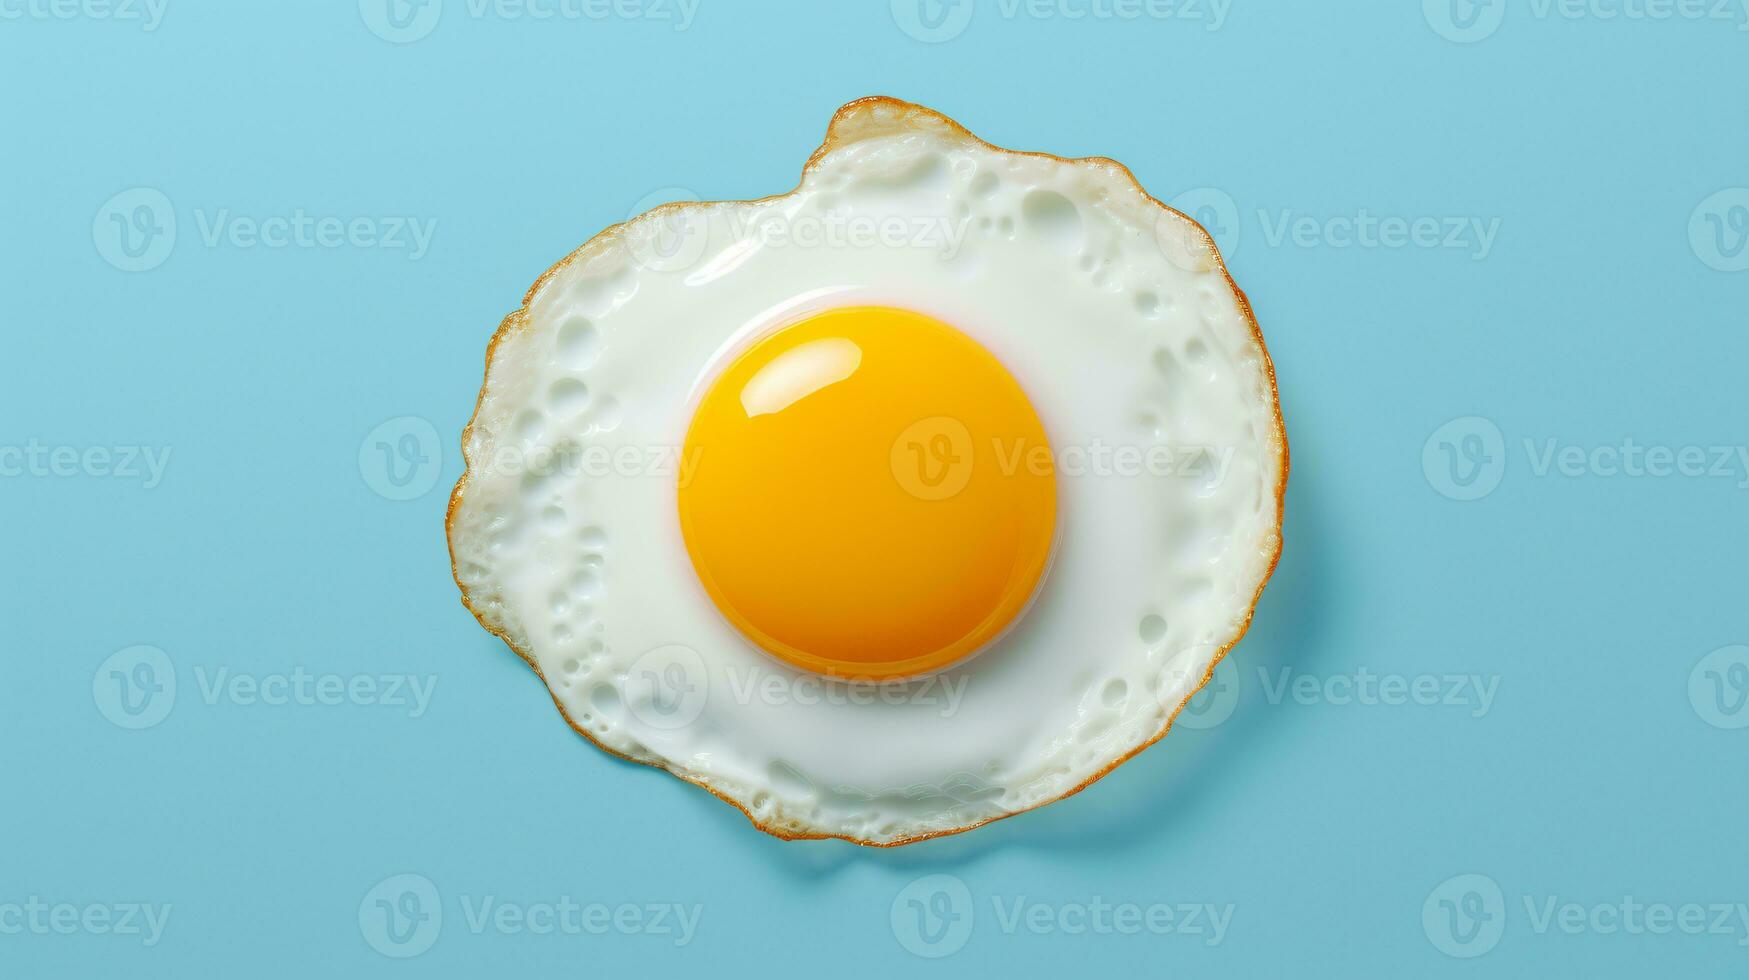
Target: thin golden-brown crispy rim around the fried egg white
(835,136)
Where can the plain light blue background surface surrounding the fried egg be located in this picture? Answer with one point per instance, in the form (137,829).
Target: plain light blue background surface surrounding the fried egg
(1606,766)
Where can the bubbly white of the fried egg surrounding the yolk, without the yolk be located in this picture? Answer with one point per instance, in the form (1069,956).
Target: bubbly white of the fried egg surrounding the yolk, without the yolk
(1117,318)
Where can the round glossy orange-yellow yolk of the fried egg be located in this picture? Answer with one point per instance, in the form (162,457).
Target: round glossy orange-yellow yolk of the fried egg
(868,494)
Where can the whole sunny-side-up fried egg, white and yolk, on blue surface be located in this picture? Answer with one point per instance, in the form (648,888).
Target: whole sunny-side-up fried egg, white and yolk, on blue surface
(907,501)
